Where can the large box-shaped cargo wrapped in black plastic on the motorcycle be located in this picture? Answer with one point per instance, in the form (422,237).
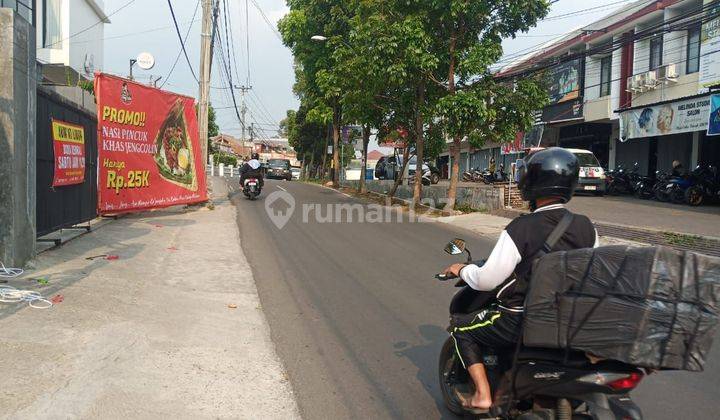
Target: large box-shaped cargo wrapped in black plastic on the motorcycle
(652,307)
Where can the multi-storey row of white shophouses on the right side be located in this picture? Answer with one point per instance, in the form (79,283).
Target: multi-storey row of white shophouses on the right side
(632,87)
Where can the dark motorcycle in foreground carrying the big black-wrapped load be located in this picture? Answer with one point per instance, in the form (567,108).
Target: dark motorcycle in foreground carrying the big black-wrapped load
(535,383)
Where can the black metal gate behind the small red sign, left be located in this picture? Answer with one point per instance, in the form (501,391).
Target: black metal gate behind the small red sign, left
(62,207)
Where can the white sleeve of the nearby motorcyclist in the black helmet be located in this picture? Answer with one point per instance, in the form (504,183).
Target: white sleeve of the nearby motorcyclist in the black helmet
(499,266)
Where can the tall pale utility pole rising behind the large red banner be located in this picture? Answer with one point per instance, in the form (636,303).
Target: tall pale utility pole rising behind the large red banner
(205,58)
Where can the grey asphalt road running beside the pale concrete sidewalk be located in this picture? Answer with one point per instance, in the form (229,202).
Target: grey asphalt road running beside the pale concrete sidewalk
(358,319)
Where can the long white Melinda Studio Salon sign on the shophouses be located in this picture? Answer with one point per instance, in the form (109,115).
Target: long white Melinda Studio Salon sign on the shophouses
(659,120)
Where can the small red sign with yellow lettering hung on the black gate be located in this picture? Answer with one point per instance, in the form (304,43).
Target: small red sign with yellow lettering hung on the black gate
(69,147)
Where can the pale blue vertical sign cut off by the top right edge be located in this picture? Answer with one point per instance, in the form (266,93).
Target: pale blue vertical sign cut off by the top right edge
(710,49)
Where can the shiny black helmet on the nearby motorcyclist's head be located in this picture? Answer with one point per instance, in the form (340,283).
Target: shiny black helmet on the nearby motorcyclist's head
(549,173)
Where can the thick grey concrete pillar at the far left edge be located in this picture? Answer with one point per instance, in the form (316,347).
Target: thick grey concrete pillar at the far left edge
(18,109)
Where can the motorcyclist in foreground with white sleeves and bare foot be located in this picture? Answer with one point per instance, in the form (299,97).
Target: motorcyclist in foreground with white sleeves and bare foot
(547,180)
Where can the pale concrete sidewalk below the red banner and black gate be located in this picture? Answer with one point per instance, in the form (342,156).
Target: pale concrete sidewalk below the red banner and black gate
(171,329)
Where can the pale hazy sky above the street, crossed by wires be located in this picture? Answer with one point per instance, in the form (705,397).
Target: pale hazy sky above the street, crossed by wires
(146,25)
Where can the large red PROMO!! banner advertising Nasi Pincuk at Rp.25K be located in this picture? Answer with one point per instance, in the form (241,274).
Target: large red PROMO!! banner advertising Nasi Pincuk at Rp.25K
(148,149)
